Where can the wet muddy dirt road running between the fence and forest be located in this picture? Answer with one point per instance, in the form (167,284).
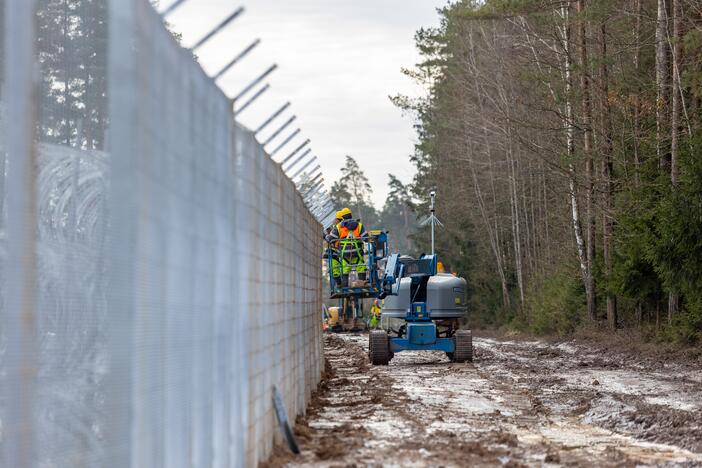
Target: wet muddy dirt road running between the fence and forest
(518,404)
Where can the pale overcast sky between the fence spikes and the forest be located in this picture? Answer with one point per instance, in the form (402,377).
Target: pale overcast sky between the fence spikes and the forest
(339,61)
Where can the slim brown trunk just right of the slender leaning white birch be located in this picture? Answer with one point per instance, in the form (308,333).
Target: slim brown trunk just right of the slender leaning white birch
(589,164)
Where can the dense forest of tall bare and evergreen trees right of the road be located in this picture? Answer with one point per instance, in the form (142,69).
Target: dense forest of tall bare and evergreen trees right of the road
(563,139)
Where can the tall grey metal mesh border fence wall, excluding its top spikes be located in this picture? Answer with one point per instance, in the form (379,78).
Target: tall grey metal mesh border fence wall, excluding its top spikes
(159,271)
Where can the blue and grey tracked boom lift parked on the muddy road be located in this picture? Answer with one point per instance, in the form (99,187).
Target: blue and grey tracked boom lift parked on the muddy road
(429,304)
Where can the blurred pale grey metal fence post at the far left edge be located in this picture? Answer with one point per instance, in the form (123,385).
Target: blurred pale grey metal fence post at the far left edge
(20,318)
